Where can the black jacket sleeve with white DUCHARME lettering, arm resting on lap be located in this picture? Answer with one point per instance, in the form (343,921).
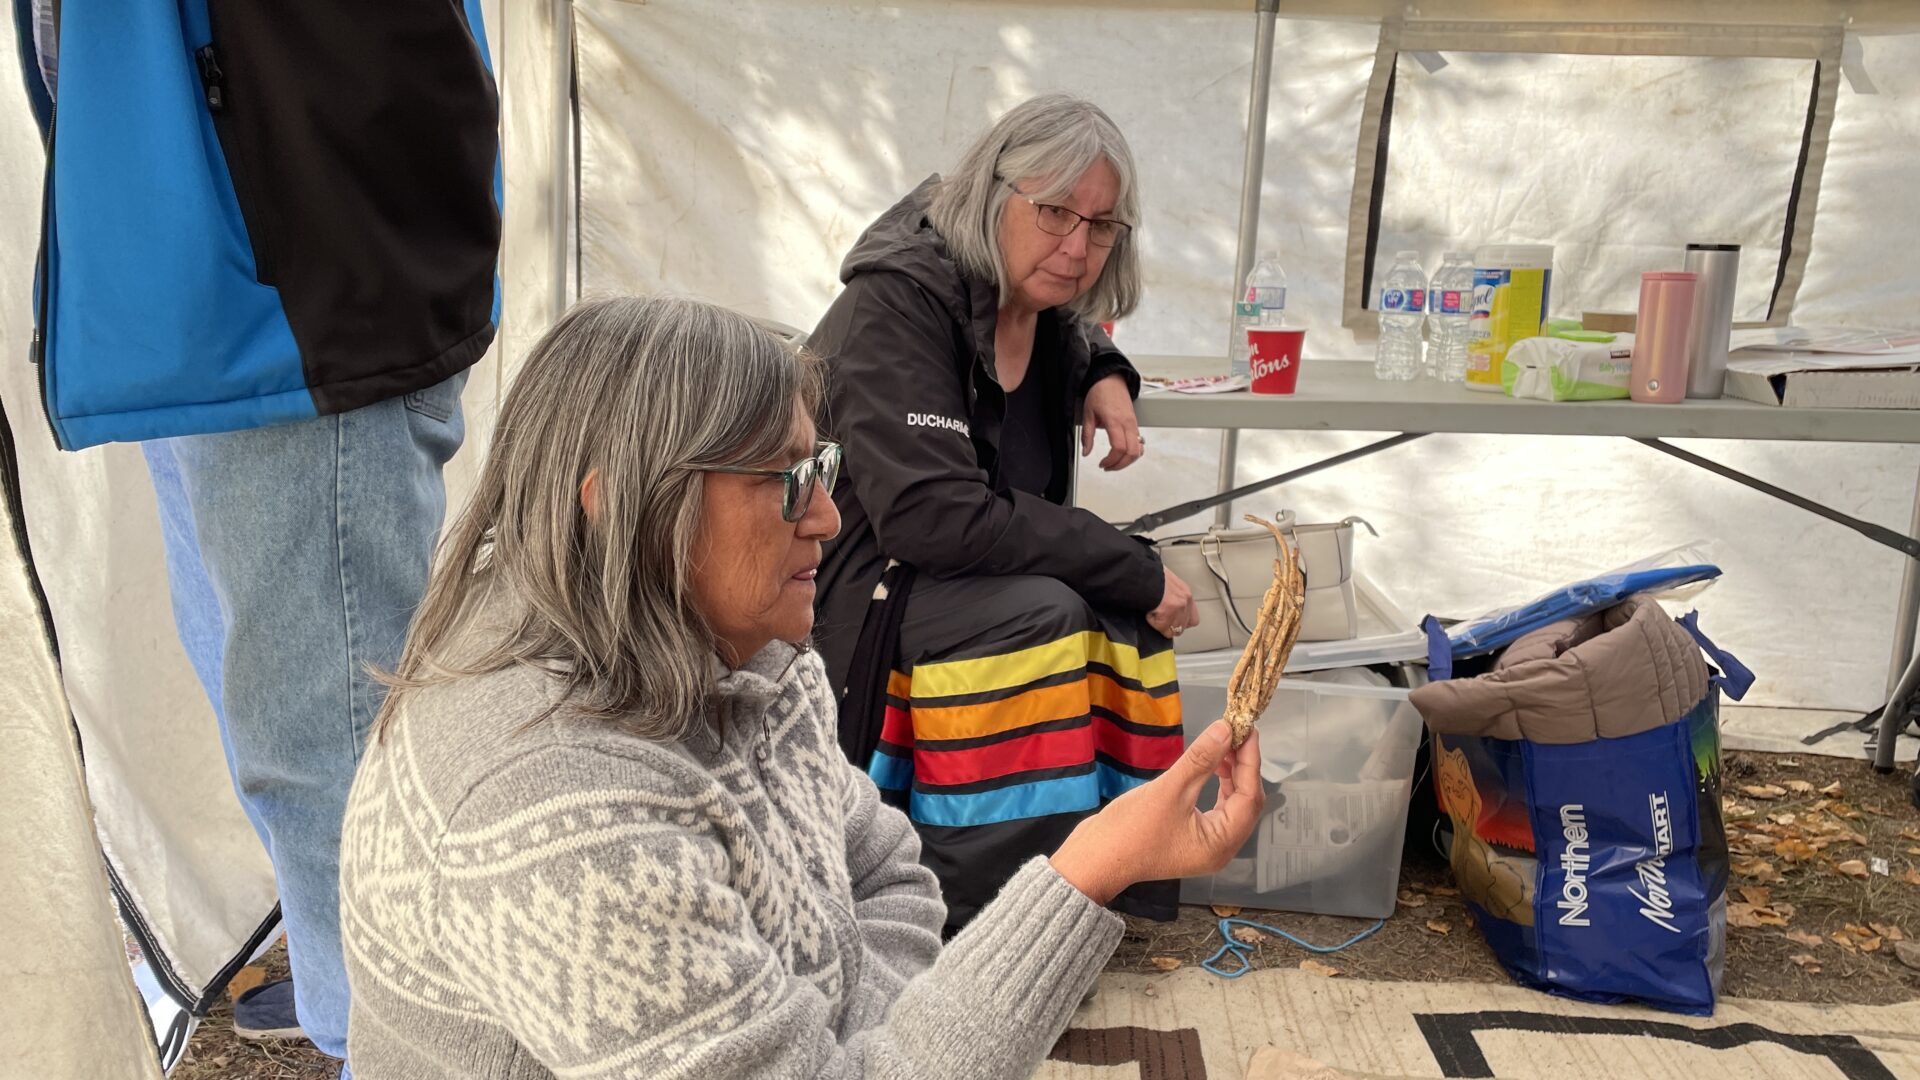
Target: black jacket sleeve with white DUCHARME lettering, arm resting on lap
(900,406)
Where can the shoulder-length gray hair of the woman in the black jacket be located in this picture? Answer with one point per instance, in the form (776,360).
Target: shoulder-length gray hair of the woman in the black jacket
(1045,145)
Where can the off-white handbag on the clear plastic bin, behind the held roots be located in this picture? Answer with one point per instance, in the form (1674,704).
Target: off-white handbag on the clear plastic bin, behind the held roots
(1230,572)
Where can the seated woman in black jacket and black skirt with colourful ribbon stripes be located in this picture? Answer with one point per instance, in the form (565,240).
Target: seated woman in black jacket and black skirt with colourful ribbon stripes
(1005,660)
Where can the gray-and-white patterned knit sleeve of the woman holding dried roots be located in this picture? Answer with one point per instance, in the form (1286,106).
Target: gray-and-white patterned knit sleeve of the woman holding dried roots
(610,929)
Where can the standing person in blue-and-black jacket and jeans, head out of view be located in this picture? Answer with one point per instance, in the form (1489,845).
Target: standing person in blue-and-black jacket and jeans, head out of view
(270,253)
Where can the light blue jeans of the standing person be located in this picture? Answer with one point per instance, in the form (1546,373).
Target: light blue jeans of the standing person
(297,556)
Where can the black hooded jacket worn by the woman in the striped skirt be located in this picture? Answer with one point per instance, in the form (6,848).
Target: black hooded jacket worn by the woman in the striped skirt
(915,401)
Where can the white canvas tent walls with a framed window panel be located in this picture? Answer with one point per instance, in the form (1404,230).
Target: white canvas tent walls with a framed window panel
(736,151)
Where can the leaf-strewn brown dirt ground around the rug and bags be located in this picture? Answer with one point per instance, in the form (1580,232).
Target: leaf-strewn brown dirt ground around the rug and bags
(1798,847)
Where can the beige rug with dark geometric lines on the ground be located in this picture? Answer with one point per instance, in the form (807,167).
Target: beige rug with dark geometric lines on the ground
(1287,1025)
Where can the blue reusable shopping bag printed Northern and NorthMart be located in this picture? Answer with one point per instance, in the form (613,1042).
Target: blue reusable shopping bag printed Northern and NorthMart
(1598,871)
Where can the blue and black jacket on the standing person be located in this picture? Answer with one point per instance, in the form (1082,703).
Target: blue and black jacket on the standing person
(260,212)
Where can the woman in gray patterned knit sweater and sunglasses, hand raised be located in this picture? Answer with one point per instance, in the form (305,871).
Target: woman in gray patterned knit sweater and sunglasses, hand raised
(606,829)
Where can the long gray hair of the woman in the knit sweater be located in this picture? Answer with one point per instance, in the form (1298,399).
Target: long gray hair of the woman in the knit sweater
(646,391)
